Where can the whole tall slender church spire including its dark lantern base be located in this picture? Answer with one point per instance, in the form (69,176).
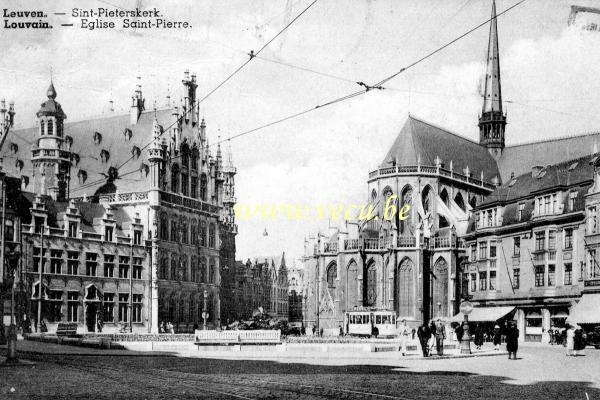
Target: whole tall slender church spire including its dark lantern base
(492,120)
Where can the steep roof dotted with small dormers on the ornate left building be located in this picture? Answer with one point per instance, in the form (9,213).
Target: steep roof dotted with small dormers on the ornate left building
(100,143)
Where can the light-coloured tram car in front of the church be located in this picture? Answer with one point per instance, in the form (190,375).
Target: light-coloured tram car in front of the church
(371,323)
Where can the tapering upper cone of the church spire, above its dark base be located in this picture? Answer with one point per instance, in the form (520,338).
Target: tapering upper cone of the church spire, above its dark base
(492,96)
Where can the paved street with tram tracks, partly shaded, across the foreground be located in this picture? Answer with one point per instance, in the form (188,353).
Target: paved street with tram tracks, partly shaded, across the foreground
(541,372)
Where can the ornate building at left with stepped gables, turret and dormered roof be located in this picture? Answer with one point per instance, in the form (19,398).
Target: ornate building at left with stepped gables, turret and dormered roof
(125,218)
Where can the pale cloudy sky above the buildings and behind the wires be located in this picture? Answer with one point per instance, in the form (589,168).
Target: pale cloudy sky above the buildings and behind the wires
(549,75)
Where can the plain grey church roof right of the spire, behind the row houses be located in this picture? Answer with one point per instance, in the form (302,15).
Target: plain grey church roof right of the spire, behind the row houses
(520,159)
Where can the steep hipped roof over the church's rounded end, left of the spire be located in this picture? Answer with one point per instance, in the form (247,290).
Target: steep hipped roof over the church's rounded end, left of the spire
(421,139)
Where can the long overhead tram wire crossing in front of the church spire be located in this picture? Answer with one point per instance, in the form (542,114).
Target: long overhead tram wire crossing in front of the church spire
(378,85)
